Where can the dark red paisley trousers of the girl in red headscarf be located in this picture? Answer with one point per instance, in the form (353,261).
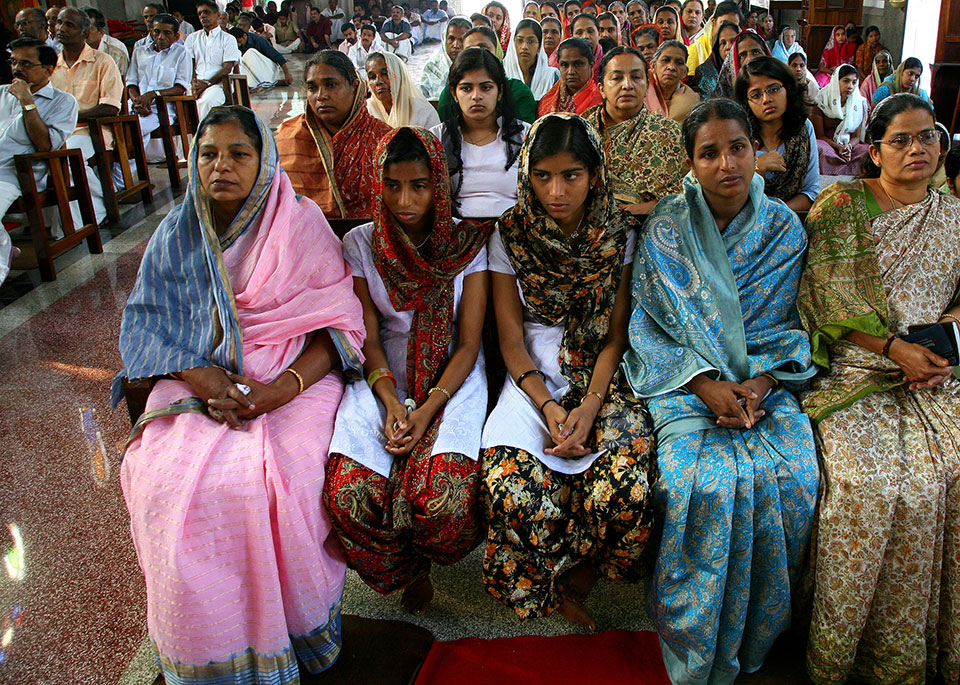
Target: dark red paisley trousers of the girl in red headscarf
(392,528)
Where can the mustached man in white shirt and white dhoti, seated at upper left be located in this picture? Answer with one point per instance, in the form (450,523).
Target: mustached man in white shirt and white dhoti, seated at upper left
(214,54)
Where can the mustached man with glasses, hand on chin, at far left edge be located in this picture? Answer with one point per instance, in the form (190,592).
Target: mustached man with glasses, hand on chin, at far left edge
(34,117)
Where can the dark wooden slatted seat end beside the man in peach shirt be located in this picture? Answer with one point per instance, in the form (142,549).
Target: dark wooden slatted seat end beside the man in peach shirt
(127,142)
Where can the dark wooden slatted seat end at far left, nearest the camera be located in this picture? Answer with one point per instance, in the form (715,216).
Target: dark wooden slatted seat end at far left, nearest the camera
(59,193)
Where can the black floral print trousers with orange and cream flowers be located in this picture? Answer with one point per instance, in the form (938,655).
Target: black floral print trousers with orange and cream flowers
(539,519)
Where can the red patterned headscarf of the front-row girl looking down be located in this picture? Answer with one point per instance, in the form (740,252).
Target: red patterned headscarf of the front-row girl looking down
(422,280)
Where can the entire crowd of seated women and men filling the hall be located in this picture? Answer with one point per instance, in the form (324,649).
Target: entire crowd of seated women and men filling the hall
(578,320)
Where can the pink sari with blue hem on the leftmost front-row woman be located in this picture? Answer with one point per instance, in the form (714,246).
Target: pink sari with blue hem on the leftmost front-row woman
(243,575)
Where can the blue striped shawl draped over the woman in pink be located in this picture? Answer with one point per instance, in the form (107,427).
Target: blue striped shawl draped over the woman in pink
(181,313)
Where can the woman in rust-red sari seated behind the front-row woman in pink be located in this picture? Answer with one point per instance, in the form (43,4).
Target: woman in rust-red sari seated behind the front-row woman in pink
(328,150)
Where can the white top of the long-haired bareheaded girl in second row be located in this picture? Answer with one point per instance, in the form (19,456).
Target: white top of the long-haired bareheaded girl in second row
(487,189)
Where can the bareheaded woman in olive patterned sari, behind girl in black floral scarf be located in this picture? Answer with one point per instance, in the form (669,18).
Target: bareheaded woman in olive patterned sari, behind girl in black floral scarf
(645,156)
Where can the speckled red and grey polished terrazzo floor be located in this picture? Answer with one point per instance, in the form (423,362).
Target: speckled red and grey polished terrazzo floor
(72,601)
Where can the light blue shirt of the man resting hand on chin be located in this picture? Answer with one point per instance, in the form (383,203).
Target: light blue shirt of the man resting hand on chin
(57,109)
